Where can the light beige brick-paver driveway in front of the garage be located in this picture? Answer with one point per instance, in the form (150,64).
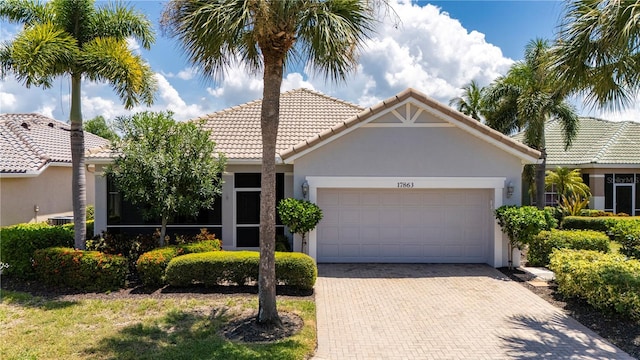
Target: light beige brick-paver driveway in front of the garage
(424,311)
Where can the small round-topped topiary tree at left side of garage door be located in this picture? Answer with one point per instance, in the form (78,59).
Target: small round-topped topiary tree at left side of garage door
(300,216)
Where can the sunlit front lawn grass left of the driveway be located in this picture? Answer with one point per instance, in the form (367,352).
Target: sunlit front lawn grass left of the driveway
(176,328)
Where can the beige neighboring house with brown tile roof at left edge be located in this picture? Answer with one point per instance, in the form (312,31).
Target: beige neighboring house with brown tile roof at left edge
(35,168)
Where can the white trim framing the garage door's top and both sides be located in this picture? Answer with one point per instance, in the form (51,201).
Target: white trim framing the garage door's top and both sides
(339,182)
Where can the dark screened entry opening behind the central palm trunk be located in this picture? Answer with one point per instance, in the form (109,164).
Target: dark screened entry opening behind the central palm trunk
(247,212)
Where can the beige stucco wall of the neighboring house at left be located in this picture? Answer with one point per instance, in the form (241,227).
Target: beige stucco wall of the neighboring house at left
(50,192)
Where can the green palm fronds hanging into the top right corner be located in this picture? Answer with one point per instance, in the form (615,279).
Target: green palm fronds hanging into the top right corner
(598,51)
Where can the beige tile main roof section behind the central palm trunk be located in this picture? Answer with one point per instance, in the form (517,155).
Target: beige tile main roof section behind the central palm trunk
(303,114)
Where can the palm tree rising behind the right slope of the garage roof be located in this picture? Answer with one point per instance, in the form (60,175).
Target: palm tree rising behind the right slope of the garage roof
(527,97)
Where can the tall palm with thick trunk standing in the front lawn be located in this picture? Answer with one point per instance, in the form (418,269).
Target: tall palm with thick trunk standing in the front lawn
(268,35)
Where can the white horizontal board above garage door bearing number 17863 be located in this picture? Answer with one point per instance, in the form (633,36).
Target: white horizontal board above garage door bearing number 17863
(345,182)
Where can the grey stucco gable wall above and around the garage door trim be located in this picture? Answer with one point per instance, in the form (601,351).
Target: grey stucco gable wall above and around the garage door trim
(407,152)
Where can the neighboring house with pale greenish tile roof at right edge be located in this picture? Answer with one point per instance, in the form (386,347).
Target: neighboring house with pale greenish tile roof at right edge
(608,156)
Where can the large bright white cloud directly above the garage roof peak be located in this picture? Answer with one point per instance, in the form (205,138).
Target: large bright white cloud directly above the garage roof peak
(427,51)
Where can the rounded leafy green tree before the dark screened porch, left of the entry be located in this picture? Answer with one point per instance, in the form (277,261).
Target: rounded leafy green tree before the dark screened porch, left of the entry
(167,168)
